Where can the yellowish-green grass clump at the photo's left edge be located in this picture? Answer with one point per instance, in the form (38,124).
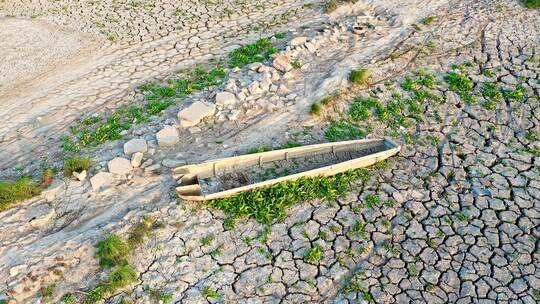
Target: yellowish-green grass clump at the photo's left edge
(13,192)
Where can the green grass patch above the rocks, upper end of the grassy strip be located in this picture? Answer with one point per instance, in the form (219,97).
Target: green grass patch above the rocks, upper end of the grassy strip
(259,51)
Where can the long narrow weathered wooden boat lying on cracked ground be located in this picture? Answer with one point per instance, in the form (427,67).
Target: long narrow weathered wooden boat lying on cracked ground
(226,177)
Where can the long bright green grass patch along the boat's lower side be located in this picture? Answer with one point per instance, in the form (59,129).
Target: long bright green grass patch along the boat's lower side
(270,204)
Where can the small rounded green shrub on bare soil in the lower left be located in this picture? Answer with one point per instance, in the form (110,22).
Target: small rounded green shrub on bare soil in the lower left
(112,251)
